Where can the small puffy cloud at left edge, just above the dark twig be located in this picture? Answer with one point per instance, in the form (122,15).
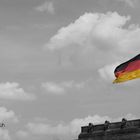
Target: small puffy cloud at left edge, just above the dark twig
(6,115)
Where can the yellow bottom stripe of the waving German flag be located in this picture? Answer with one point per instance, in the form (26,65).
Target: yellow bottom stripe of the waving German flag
(128,76)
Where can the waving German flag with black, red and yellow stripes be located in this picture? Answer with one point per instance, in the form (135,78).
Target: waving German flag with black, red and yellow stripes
(128,70)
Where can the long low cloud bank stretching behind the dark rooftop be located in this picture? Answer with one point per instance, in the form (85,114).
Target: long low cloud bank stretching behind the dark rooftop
(71,129)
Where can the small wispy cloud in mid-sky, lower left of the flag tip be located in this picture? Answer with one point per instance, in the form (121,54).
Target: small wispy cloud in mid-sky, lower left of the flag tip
(62,87)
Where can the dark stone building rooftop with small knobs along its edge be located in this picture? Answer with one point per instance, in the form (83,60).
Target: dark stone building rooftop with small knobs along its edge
(124,130)
